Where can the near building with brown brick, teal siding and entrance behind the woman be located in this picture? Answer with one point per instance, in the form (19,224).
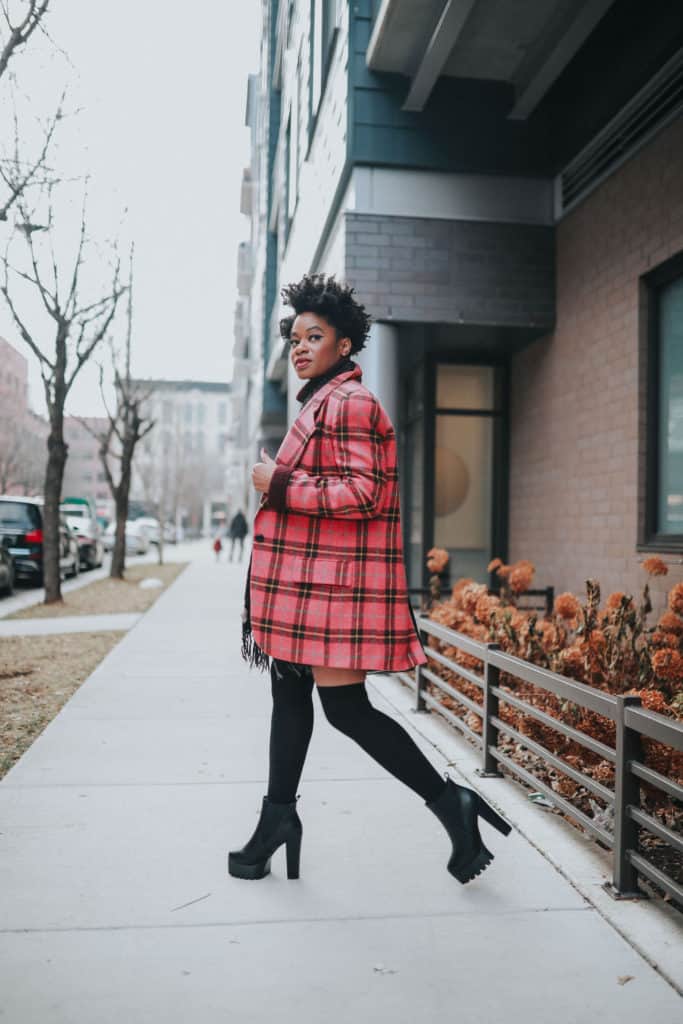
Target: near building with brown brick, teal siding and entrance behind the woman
(506,197)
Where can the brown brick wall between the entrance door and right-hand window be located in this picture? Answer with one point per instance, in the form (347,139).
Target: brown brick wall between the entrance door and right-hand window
(578,396)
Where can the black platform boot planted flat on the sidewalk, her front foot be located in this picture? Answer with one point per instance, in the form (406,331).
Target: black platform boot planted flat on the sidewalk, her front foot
(279,824)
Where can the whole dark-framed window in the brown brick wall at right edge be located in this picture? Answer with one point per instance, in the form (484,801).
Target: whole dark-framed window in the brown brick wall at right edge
(665,407)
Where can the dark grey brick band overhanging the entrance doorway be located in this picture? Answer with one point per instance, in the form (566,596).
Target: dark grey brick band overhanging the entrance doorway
(452,272)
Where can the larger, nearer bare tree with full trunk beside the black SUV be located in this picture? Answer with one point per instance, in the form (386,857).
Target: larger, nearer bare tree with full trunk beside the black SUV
(77,328)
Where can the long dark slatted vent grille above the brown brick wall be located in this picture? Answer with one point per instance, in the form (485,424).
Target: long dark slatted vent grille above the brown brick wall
(660,102)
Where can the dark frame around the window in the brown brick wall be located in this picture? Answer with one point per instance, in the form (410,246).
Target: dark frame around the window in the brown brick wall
(654,282)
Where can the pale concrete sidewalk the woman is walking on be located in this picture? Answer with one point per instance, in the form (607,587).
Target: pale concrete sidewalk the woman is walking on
(116,905)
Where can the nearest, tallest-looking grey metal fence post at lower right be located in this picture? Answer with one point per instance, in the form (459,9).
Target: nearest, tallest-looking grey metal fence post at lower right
(627,793)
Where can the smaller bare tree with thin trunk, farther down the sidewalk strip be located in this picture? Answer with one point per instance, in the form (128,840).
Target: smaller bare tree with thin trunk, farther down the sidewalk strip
(127,426)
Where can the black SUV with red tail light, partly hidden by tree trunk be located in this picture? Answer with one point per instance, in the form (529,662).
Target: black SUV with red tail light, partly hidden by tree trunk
(22,534)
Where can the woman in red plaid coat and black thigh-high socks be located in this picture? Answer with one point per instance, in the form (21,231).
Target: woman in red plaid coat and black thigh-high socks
(326,599)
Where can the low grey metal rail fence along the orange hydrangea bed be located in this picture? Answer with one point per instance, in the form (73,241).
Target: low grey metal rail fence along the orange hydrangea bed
(632,723)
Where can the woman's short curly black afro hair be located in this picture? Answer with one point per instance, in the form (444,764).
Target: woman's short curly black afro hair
(318,294)
